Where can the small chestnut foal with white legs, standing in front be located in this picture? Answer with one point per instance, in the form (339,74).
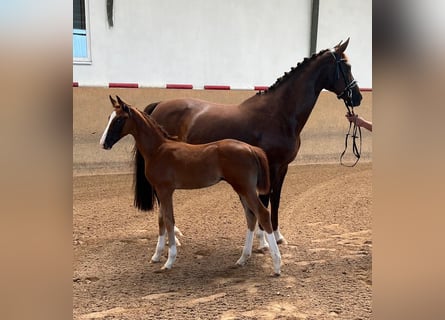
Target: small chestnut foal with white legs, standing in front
(172,164)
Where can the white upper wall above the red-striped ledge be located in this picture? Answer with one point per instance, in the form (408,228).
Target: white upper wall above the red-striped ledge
(237,43)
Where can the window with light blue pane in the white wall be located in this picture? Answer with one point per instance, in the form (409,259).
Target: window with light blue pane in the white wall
(81,50)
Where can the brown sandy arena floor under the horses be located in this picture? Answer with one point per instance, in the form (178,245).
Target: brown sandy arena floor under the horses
(325,215)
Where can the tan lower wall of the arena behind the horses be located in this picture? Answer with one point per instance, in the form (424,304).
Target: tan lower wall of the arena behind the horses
(322,137)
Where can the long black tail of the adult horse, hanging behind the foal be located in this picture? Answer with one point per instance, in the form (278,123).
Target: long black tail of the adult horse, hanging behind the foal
(144,194)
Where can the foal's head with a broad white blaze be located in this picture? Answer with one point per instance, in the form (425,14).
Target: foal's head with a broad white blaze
(116,127)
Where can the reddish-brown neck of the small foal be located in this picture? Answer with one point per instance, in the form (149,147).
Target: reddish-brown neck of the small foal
(147,135)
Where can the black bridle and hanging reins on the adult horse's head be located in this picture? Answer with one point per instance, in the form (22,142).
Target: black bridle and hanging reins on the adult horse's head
(346,95)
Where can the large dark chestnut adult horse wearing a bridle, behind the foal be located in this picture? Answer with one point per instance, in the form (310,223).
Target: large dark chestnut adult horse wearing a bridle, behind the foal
(271,120)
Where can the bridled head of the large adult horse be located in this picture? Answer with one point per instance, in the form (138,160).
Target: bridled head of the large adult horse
(340,79)
